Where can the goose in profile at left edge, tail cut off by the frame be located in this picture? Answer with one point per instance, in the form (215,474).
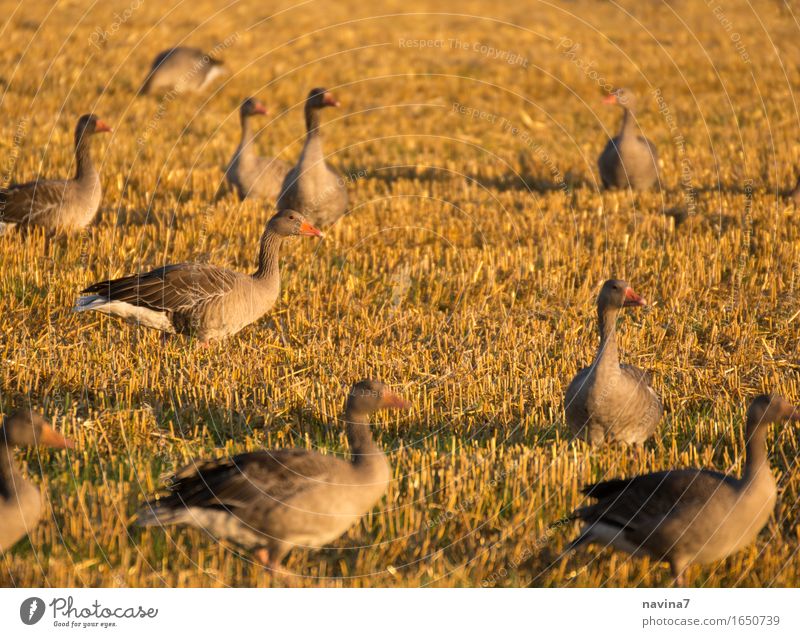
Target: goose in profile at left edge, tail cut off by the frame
(59,205)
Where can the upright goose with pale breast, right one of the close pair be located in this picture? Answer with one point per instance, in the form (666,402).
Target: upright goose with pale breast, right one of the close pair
(312,186)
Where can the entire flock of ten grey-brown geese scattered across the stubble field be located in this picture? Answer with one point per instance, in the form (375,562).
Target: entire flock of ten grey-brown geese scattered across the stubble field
(273,500)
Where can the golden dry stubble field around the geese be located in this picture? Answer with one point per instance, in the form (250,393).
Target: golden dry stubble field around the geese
(464,276)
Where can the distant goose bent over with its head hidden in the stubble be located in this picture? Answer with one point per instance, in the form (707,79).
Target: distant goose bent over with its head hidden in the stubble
(181,69)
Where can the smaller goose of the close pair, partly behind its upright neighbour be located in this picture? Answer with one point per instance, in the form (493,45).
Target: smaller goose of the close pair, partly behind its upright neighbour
(247,173)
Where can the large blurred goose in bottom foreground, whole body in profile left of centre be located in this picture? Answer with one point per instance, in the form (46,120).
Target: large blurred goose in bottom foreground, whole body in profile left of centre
(272,501)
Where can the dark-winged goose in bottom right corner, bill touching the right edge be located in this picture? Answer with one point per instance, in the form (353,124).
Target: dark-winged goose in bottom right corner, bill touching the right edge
(689,516)
